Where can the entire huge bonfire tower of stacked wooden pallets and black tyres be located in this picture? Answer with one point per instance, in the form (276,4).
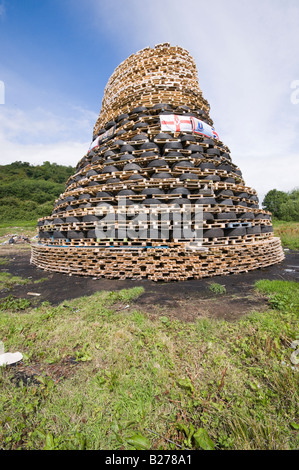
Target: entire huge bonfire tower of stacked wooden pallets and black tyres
(154,159)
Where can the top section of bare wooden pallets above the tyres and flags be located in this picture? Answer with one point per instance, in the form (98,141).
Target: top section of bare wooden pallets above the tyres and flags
(163,74)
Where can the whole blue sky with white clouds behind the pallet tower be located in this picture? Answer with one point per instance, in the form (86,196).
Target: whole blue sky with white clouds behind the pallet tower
(57,55)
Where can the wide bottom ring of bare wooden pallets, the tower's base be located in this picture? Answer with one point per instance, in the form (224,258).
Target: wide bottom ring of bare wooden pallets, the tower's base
(178,263)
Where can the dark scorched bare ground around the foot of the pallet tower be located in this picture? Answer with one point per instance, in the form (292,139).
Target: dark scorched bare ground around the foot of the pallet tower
(187,300)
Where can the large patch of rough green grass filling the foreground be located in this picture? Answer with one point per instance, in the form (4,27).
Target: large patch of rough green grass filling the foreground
(109,377)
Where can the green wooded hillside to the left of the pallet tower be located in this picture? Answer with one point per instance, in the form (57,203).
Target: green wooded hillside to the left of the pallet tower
(28,192)
